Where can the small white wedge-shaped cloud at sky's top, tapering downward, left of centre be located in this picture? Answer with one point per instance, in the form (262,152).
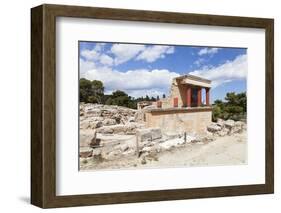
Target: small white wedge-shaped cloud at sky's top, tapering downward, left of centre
(125,52)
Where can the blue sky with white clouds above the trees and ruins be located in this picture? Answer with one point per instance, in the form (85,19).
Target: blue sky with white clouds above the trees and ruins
(144,69)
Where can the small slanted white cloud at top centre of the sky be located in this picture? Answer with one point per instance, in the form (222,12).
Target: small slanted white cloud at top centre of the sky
(152,53)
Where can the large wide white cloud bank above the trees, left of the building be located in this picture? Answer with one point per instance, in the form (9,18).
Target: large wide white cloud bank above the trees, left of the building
(135,82)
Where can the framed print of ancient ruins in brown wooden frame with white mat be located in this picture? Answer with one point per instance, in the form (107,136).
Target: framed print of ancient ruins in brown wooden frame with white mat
(136,106)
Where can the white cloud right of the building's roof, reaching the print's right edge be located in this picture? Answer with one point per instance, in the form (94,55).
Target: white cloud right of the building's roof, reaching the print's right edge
(227,72)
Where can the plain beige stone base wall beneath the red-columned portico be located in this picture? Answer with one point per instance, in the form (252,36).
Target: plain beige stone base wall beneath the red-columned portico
(190,120)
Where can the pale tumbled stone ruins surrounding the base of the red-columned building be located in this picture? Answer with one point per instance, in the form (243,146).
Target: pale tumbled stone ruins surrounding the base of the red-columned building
(112,132)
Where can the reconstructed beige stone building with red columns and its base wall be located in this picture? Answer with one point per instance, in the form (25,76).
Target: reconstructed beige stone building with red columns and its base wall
(185,109)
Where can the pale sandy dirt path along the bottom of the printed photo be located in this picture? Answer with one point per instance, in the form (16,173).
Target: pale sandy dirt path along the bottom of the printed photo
(227,150)
